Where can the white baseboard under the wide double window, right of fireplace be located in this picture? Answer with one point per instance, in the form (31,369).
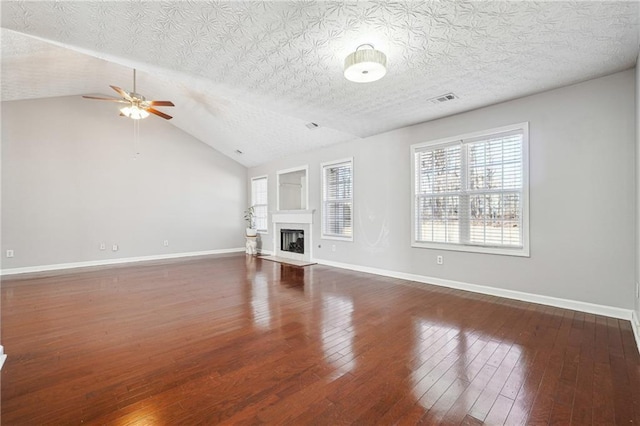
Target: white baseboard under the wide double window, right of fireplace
(609,311)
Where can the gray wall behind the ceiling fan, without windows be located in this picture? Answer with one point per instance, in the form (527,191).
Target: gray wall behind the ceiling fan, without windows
(70,180)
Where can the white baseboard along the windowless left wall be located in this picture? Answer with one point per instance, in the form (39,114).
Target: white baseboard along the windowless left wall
(60,266)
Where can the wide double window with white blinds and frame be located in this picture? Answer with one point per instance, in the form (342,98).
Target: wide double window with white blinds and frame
(471,192)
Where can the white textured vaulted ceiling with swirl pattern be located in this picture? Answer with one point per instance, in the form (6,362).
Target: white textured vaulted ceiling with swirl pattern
(250,75)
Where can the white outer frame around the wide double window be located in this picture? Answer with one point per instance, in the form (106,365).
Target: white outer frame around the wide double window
(515,251)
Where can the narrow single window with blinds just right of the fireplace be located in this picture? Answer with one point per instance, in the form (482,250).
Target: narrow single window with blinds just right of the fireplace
(337,200)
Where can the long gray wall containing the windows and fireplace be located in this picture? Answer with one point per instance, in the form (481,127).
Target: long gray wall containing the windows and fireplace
(582,196)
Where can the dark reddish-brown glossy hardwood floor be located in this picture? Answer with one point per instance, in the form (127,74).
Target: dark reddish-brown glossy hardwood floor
(239,340)
